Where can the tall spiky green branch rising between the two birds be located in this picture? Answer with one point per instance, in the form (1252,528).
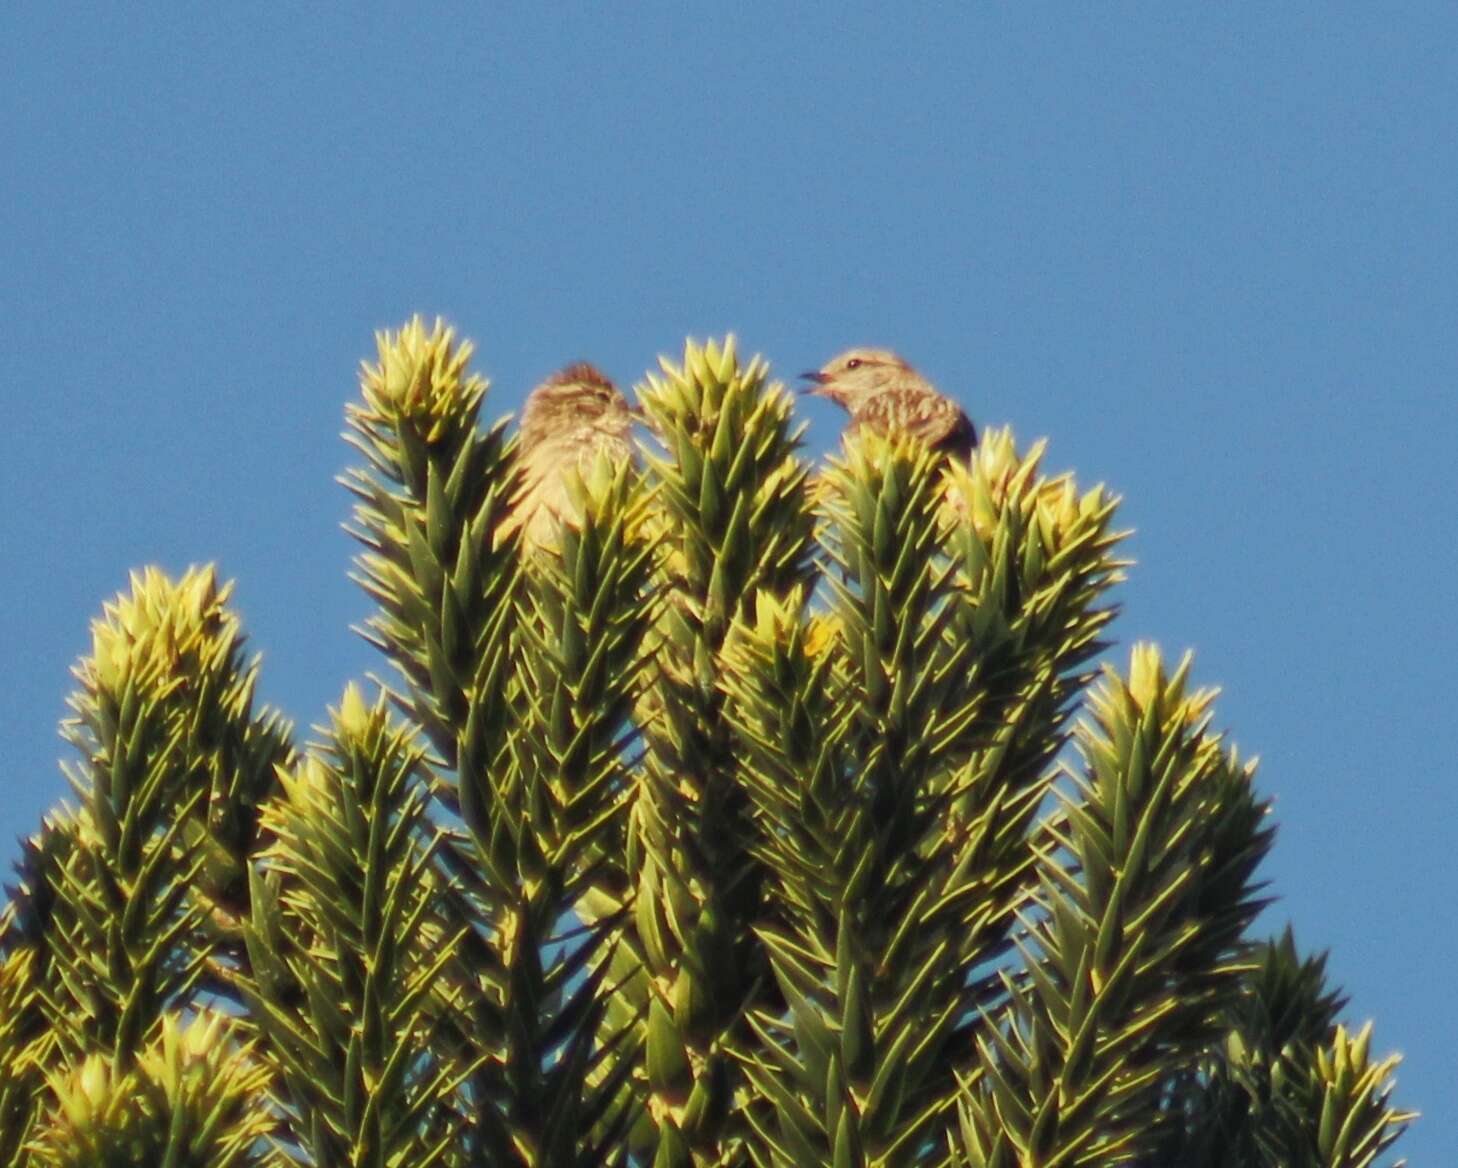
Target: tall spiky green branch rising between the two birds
(736,526)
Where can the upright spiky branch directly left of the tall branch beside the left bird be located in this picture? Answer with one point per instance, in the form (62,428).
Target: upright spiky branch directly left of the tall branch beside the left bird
(348,951)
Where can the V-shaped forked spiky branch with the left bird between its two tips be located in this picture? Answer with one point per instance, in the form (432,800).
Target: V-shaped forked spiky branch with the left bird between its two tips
(524,677)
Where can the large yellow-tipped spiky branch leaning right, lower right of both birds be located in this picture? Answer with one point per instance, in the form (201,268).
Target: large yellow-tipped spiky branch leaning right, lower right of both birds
(1134,933)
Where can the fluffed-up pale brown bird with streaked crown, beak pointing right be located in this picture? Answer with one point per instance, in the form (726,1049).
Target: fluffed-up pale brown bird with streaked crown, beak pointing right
(566,422)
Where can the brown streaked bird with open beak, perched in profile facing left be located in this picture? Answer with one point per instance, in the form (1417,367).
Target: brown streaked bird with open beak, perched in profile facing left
(887,396)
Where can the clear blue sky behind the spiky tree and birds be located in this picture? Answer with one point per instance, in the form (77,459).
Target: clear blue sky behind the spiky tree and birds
(1209,252)
